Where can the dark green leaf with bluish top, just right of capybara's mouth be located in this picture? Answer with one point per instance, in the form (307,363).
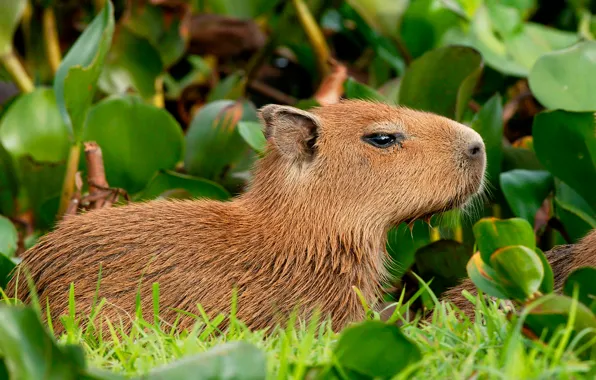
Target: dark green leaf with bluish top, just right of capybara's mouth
(525,191)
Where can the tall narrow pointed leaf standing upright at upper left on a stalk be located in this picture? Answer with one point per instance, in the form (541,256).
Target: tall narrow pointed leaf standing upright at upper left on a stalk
(75,82)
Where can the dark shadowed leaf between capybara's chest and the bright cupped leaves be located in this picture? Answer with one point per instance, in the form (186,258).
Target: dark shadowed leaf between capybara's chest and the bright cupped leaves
(445,262)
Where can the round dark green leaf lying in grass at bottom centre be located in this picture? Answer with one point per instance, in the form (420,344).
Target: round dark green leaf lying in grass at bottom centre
(375,349)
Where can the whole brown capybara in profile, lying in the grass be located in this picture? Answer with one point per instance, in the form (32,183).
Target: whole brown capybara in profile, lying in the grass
(311,225)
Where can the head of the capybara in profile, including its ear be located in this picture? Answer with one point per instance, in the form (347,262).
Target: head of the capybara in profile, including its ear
(361,158)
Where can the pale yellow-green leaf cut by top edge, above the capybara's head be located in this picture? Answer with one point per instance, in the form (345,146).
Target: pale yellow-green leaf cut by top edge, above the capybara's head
(382,15)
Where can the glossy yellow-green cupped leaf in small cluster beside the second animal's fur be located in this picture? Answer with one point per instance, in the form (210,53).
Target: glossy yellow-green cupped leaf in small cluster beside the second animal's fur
(519,271)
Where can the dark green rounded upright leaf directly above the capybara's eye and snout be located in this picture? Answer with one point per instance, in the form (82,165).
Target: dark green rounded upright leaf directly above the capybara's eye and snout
(442,81)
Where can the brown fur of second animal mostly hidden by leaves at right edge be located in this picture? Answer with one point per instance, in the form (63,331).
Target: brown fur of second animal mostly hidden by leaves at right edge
(563,260)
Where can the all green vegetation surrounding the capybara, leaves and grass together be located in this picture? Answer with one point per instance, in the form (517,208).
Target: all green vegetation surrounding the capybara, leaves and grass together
(163,94)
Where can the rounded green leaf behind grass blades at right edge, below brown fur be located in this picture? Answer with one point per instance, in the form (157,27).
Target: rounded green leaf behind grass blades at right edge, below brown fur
(551,312)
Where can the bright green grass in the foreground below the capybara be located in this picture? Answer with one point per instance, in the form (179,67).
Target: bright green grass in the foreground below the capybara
(452,347)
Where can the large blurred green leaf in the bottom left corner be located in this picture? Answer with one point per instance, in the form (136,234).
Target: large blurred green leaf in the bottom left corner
(29,352)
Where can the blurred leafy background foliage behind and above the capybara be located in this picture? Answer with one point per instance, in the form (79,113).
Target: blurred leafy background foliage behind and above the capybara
(169,90)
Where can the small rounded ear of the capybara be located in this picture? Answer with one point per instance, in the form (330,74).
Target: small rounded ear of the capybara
(293,131)
